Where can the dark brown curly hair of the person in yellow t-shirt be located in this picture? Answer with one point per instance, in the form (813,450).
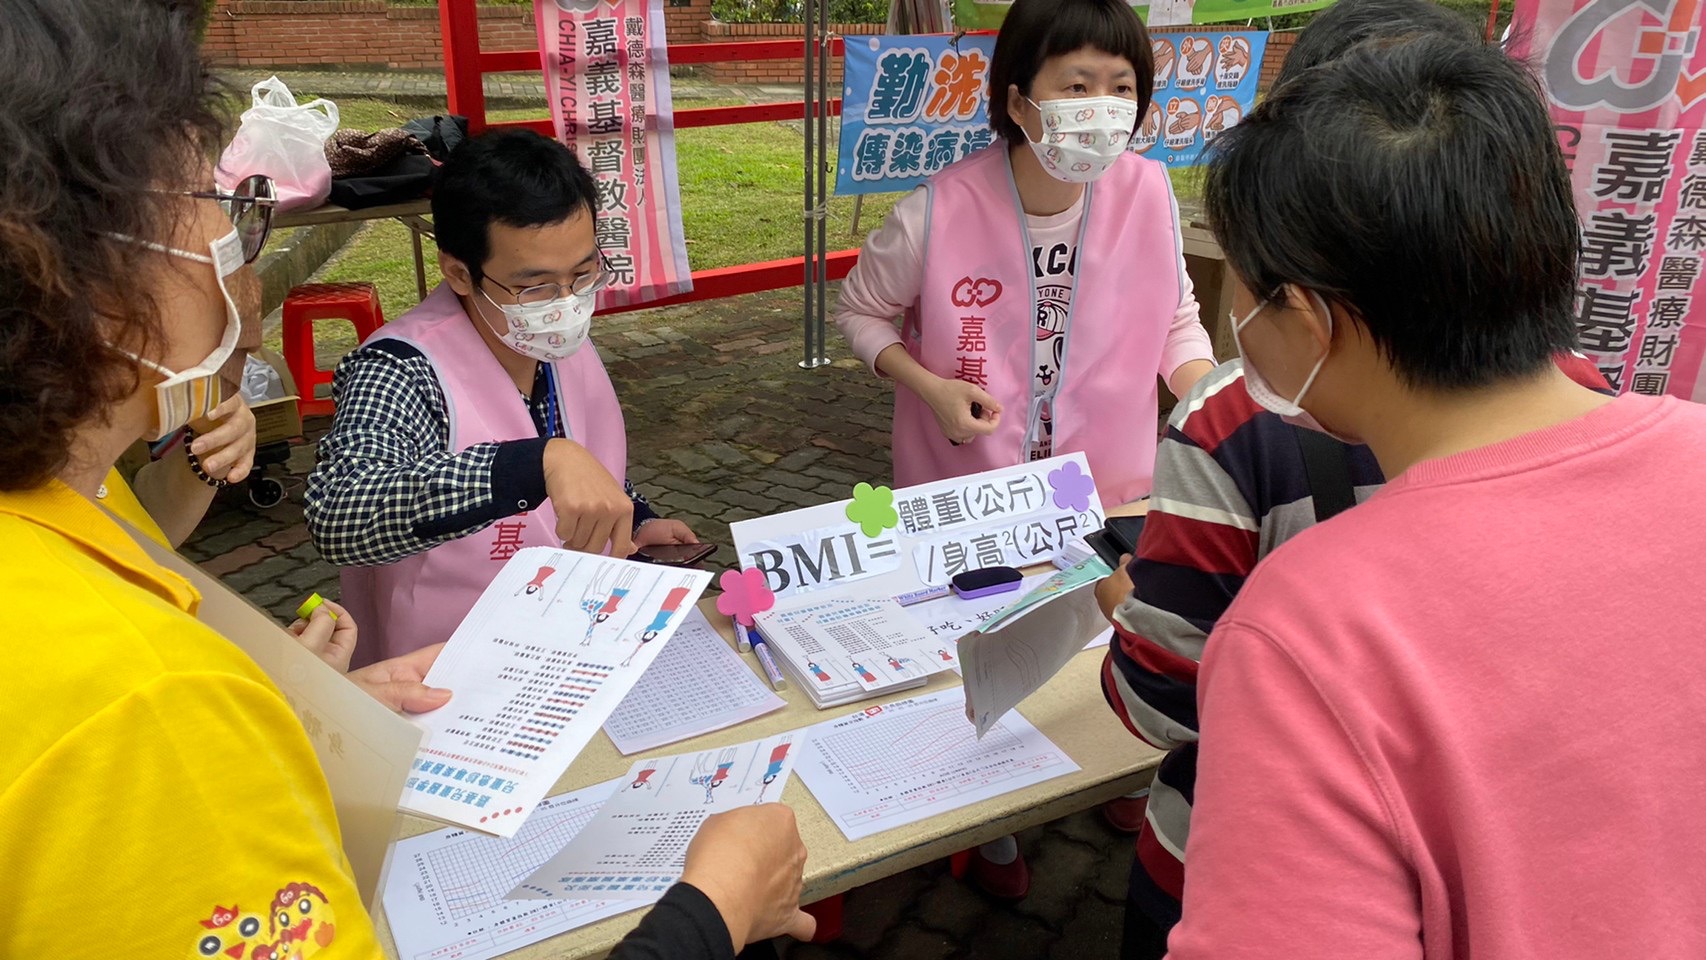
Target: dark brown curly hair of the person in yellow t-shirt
(100,105)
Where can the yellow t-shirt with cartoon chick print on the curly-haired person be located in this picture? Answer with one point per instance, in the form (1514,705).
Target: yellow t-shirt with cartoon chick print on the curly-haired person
(158,797)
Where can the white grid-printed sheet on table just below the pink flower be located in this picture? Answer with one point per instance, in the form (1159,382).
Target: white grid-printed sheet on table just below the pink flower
(695,686)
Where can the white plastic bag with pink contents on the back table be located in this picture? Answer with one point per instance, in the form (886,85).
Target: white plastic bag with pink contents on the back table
(286,142)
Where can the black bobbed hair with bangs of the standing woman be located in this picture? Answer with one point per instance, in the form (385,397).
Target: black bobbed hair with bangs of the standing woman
(1038,30)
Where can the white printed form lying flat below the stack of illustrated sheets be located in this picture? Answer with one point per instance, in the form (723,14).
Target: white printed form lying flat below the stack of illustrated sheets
(902,763)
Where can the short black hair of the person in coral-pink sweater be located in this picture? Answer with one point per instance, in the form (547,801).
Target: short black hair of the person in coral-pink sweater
(1420,187)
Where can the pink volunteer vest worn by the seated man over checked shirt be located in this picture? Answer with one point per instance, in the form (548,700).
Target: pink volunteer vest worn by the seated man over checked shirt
(422,599)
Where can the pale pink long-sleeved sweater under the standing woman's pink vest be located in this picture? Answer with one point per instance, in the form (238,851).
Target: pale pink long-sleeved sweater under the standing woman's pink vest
(890,272)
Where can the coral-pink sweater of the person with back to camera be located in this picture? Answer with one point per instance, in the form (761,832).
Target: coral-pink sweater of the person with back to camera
(1468,719)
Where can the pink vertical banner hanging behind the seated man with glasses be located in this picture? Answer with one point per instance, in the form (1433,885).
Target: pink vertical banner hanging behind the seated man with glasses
(606,74)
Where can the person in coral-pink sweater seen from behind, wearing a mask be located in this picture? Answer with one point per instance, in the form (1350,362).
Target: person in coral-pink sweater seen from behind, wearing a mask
(1448,722)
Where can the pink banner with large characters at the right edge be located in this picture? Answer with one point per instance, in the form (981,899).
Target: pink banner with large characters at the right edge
(1627,83)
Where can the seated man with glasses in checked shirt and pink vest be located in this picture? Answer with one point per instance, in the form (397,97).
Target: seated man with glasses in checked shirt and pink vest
(480,422)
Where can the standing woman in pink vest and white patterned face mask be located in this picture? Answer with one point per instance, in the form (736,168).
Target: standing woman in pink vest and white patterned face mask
(1042,279)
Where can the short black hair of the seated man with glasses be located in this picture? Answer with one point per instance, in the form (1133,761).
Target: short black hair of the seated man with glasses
(509,176)
